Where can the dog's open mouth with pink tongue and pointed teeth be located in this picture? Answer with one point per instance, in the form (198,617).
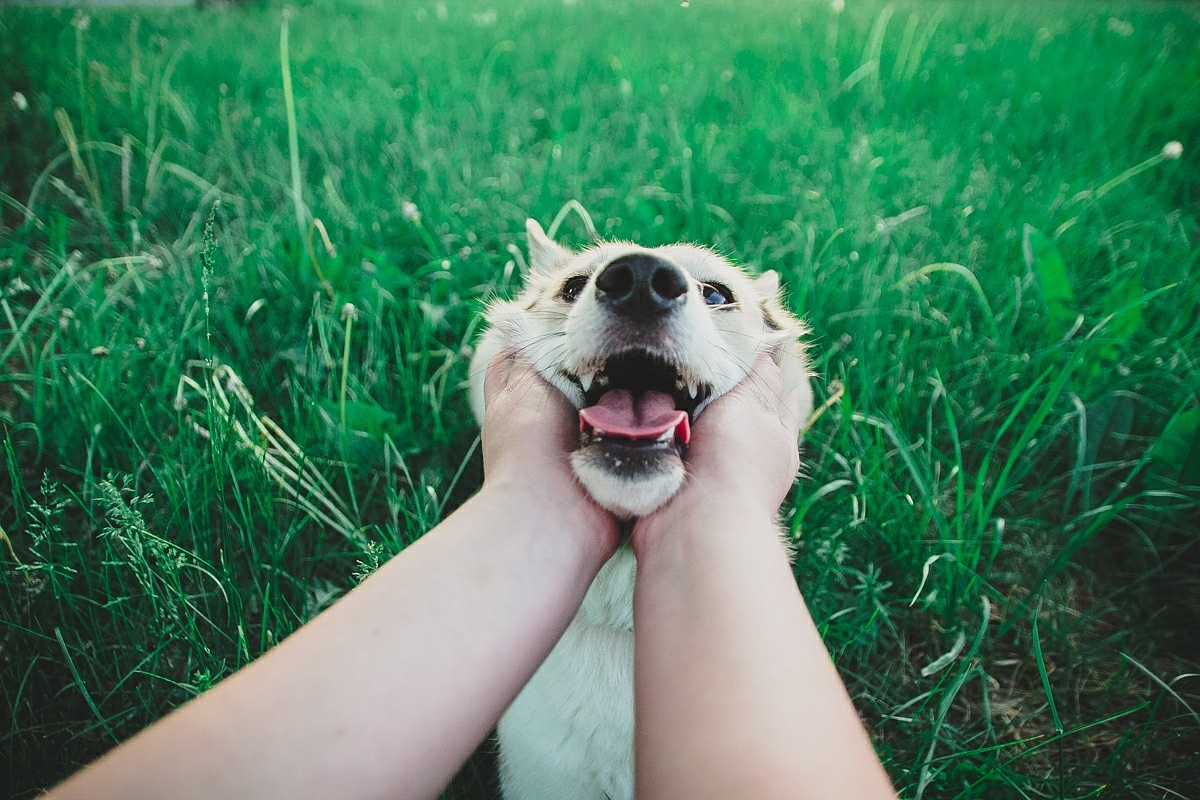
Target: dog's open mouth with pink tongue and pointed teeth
(638,400)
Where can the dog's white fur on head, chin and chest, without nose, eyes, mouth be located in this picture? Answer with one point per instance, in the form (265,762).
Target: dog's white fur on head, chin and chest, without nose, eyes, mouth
(569,735)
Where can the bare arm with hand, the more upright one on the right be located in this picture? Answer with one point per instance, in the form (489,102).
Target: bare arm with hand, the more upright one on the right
(735,693)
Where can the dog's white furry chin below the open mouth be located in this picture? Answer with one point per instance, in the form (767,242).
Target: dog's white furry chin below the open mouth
(629,480)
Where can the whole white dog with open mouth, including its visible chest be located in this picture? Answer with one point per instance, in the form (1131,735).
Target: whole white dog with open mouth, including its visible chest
(640,341)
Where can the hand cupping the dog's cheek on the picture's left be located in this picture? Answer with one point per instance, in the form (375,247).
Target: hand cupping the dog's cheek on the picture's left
(530,431)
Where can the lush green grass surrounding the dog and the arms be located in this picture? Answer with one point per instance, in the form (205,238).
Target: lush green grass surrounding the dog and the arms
(201,449)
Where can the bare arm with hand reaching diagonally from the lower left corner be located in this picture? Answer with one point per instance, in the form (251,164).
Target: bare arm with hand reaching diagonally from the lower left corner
(389,691)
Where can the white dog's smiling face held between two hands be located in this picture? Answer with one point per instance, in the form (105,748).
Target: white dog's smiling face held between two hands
(640,340)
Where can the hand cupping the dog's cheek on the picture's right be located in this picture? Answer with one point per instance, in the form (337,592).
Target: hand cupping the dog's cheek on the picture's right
(743,450)
